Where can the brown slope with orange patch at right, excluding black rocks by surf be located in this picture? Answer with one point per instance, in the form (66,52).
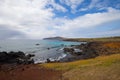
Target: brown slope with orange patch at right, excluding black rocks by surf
(100,48)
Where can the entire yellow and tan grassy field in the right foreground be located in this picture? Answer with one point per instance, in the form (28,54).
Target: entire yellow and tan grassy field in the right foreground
(99,68)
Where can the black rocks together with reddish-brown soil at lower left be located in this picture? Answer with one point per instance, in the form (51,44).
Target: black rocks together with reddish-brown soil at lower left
(19,66)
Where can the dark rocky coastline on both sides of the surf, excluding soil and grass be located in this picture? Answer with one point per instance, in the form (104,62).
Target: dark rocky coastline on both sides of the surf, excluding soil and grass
(74,52)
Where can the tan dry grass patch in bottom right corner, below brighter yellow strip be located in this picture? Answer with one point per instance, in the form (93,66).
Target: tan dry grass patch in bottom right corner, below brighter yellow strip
(111,72)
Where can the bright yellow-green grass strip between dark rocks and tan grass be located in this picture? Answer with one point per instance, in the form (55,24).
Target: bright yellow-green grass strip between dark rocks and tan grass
(98,61)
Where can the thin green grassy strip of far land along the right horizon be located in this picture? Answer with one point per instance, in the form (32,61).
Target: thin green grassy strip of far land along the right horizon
(94,39)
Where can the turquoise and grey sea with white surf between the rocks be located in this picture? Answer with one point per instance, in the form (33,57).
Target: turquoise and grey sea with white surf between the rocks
(52,49)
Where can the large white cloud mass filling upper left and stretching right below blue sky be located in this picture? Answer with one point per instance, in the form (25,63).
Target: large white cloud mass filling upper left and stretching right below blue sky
(31,19)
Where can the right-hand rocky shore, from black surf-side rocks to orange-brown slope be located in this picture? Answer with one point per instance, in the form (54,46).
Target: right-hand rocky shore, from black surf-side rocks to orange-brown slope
(92,50)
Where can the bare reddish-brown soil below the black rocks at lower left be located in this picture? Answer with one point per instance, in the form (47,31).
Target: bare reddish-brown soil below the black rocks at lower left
(28,72)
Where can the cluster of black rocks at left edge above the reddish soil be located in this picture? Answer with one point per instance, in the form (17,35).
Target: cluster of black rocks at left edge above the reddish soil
(15,57)
